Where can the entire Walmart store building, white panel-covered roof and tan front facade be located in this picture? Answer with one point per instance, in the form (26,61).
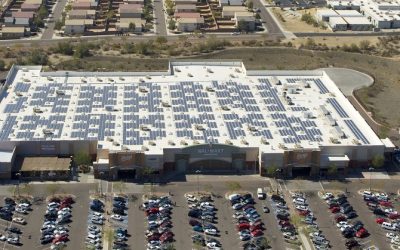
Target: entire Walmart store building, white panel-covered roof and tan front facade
(198,115)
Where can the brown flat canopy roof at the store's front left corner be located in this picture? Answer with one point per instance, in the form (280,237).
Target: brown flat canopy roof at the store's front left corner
(28,164)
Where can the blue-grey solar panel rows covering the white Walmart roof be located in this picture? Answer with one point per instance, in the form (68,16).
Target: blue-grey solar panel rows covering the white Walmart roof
(90,111)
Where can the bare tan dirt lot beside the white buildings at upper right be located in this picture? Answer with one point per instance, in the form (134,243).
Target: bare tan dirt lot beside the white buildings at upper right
(291,20)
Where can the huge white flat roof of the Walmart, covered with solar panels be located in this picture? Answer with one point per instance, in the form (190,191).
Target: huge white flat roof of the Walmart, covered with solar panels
(195,102)
